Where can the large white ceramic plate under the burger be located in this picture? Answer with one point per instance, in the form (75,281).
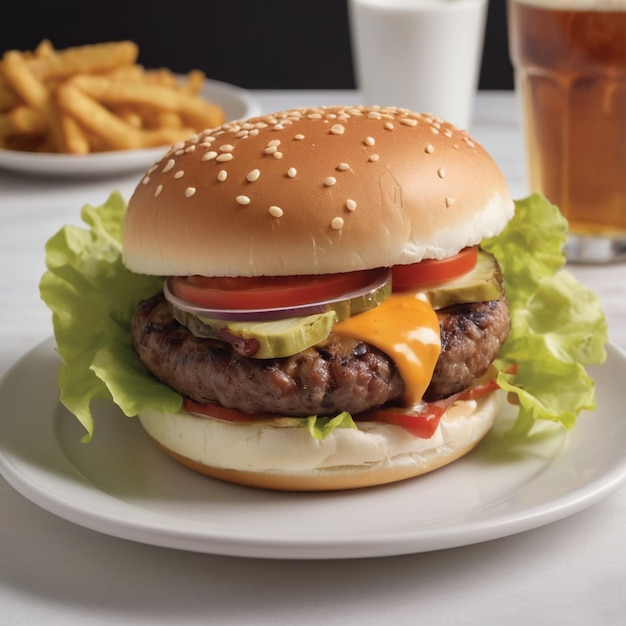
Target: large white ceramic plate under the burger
(122,485)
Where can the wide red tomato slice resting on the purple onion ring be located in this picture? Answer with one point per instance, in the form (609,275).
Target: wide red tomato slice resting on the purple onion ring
(261,292)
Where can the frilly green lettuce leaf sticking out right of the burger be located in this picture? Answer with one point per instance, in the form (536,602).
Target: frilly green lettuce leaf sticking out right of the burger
(557,323)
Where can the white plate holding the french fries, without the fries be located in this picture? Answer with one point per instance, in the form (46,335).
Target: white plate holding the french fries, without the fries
(236,102)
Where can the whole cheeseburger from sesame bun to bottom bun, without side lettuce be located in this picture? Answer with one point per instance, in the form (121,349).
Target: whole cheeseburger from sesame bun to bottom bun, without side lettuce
(327,314)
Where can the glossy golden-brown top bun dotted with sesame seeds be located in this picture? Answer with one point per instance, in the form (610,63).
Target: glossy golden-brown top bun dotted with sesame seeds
(315,190)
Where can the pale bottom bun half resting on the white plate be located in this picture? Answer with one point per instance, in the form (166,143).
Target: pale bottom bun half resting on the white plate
(288,458)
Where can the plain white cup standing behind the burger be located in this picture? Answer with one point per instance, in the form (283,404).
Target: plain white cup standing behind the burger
(423,55)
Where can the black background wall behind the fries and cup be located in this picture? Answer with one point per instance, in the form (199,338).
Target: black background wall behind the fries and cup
(257,44)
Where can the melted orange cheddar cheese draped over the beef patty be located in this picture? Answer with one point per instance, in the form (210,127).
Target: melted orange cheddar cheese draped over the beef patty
(406,328)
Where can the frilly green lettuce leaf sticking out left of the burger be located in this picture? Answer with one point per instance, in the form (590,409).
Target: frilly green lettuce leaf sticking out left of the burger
(92,297)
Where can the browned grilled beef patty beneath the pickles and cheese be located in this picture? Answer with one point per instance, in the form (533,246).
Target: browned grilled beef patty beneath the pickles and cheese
(336,375)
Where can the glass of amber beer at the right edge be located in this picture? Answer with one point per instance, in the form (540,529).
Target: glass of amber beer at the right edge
(569,58)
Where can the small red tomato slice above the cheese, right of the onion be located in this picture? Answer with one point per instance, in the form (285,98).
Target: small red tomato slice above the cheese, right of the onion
(431,271)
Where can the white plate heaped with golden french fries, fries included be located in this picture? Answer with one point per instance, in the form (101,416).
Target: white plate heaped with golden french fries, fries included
(94,110)
